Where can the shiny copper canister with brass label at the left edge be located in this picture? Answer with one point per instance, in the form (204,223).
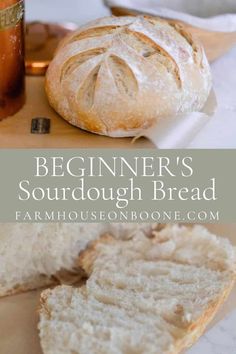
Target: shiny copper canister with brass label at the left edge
(12,67)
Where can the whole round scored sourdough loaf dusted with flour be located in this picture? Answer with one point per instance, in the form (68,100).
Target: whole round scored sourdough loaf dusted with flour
(118,75)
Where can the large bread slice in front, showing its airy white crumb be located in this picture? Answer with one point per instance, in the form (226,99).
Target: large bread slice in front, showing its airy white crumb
(143,296)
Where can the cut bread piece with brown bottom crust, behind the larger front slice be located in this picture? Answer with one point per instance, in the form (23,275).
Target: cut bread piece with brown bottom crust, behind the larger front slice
(37,255)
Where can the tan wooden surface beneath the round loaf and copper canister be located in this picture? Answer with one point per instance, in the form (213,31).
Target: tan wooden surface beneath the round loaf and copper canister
(15,130)
